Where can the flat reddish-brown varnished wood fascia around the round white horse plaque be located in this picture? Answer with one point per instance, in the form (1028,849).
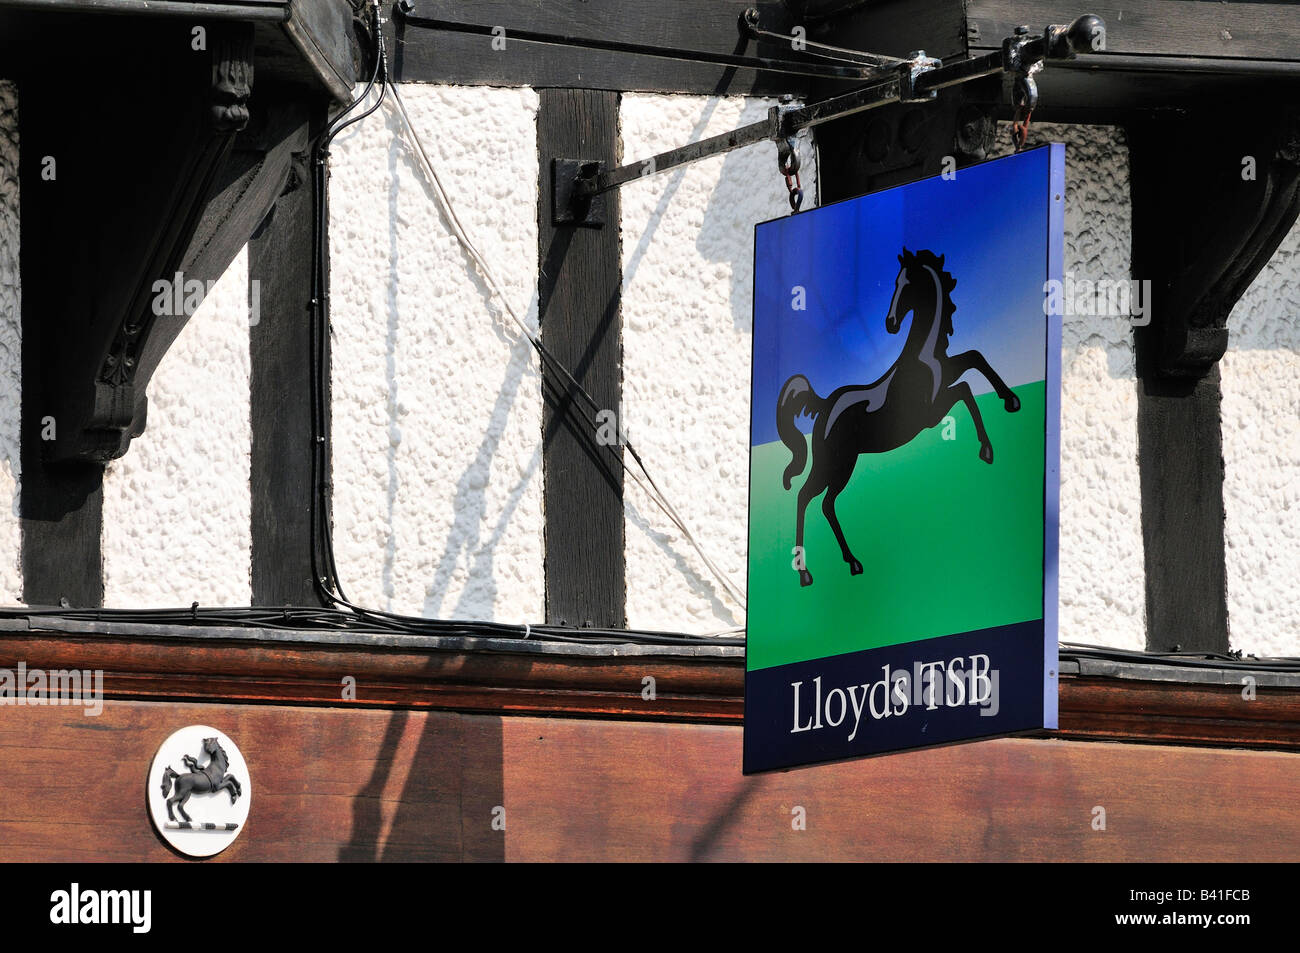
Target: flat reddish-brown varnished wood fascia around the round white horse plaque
(402,786)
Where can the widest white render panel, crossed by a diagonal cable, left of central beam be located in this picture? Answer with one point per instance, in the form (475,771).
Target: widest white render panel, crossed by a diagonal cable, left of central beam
(437,409)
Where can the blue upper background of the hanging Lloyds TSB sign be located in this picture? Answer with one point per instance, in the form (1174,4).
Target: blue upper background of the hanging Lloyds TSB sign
(824,280)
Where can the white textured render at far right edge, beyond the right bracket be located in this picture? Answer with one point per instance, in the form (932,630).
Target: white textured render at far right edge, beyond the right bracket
(1262,460)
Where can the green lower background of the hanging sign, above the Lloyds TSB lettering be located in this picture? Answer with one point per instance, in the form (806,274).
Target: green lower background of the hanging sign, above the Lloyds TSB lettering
(948,543)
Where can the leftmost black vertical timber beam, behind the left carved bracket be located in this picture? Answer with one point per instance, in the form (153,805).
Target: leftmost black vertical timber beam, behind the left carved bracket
(62,504)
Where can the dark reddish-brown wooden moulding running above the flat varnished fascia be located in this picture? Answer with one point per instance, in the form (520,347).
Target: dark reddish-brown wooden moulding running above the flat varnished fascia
(639,687)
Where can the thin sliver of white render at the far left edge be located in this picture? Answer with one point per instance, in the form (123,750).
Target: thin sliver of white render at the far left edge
(11,350)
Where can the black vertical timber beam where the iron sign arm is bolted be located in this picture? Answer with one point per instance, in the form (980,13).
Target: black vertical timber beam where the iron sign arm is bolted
(579,297)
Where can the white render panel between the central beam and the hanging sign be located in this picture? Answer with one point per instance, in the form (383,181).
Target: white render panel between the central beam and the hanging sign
(688,281)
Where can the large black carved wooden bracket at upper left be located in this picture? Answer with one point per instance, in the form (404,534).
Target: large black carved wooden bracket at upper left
(151,202)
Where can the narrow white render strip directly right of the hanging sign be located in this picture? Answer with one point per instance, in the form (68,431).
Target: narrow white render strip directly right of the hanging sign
(1103,573)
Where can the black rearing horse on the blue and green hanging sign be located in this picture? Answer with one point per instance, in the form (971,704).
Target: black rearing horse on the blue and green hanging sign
(915,395)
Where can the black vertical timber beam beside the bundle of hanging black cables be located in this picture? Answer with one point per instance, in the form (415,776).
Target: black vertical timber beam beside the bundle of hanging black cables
(280,275)
